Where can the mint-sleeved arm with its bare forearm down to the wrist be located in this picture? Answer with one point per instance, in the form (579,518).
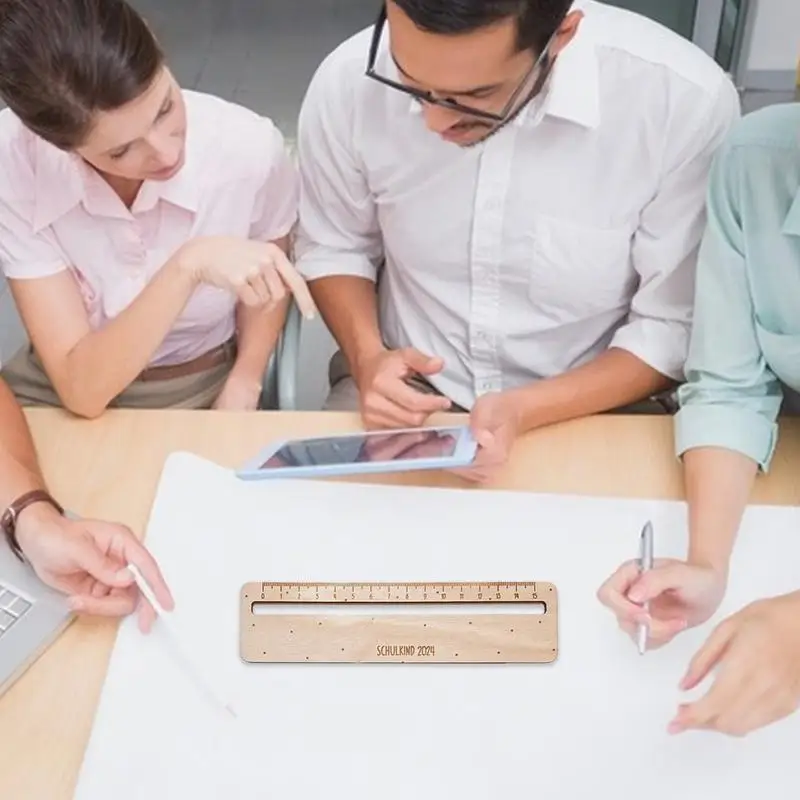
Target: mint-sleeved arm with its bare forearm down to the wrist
(726,430)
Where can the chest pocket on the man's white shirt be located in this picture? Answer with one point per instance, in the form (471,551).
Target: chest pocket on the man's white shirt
(579,271)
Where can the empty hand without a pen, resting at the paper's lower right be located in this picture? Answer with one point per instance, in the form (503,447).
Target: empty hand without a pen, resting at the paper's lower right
(757,656)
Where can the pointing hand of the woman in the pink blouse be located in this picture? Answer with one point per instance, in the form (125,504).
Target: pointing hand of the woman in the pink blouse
(259,273)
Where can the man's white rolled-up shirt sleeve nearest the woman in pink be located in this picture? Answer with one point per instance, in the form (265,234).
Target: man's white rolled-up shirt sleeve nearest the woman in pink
(338,231)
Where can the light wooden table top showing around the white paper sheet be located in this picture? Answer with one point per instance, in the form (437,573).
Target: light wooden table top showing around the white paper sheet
(109,469)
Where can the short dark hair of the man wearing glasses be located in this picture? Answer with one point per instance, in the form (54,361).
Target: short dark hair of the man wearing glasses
(537,20)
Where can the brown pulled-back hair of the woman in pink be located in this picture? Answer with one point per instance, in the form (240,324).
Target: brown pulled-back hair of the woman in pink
(62,61)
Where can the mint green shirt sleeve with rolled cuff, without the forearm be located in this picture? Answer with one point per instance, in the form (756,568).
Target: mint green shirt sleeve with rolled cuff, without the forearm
(731,399)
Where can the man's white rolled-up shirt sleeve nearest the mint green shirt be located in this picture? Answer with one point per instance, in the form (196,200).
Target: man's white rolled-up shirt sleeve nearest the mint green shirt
(666,243)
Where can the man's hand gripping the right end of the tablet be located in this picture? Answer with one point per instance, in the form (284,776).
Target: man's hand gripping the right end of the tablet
(495,425)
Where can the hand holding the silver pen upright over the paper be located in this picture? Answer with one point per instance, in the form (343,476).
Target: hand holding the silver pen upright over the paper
(681,596)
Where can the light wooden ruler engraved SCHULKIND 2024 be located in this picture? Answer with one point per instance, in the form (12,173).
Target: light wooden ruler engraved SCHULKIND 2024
(399,622)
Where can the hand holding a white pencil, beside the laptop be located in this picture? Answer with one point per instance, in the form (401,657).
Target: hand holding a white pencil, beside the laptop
(87,560)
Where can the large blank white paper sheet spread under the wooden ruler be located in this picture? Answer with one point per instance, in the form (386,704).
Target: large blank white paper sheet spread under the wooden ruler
(593,724)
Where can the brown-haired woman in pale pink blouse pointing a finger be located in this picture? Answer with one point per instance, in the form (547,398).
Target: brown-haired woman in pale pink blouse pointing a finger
(143,229)
